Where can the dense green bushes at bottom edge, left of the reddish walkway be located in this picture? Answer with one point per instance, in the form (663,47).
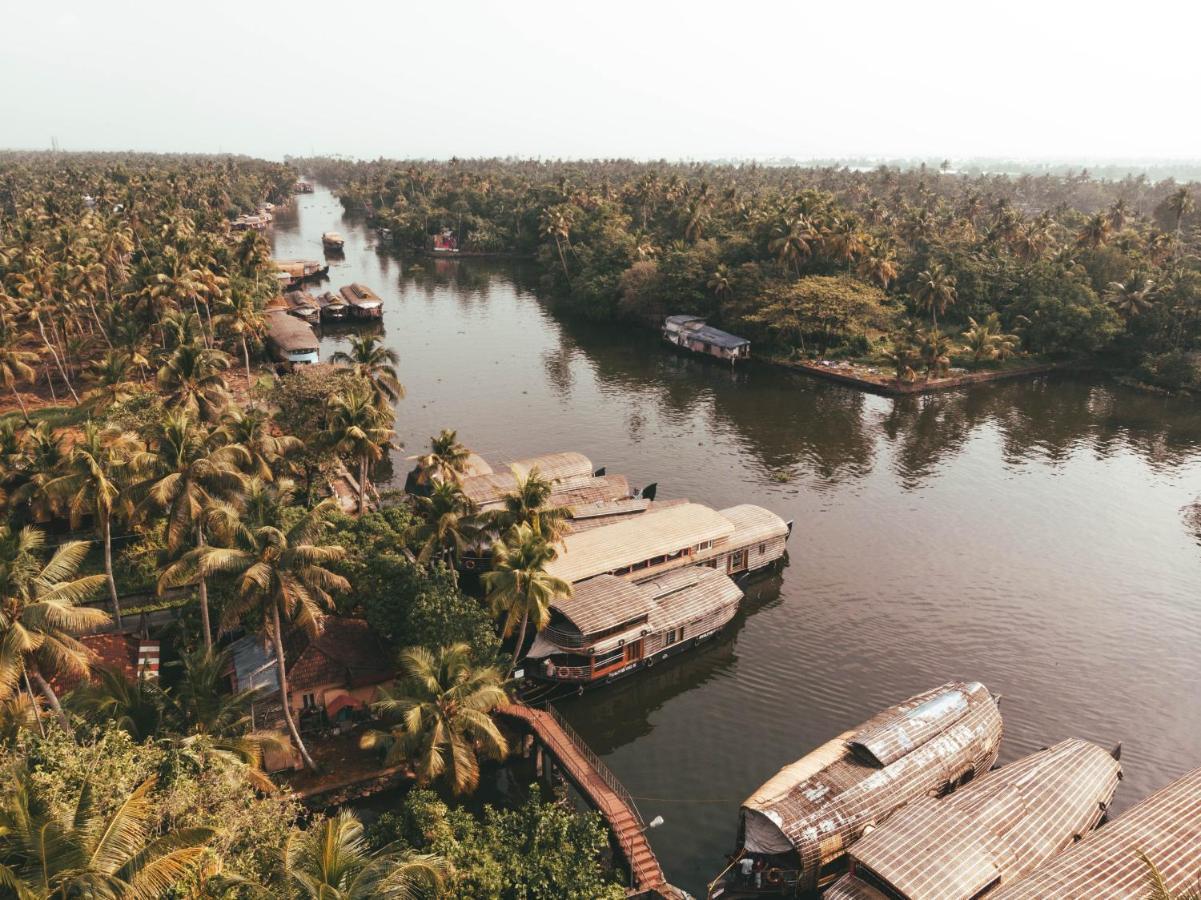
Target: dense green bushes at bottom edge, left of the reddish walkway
(539,851)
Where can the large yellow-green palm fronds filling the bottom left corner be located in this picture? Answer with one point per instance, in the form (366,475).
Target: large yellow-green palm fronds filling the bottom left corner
(79,853)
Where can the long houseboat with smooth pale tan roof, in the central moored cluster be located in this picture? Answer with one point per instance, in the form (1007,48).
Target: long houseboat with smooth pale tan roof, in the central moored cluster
(736,541)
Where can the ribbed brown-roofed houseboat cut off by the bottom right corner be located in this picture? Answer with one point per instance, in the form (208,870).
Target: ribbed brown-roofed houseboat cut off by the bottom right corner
(1112,863)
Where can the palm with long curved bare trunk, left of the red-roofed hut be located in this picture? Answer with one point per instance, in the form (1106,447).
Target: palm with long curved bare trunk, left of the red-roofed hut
(279,574)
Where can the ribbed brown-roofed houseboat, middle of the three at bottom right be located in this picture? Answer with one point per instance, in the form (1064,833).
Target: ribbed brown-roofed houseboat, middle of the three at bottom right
(990,833)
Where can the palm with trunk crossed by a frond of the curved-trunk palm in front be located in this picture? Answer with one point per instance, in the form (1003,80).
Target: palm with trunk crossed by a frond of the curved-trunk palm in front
(188,472)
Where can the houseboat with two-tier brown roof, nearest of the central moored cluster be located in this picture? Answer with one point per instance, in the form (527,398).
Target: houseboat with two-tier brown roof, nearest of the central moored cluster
(611,628)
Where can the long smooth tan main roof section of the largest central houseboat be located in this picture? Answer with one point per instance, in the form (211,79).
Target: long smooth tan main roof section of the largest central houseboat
(655,534)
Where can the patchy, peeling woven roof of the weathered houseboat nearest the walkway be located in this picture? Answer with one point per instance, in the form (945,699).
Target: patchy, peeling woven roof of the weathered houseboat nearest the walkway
(821,806)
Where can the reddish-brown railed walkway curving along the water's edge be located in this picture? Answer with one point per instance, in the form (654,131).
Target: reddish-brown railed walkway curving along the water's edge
(604,791)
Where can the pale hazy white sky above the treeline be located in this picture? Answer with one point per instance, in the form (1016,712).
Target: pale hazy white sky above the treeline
(696,80)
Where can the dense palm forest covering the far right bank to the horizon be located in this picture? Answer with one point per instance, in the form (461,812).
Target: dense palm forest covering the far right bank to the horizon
(830,260)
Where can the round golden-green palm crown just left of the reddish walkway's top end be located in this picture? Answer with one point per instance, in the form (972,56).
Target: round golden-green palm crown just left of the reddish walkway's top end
(441,706)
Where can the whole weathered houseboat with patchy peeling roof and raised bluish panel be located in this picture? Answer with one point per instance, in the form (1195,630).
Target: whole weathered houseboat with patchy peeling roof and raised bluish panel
(794,832)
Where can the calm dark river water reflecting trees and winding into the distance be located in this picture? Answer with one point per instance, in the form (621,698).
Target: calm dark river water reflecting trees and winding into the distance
(1031,535)
